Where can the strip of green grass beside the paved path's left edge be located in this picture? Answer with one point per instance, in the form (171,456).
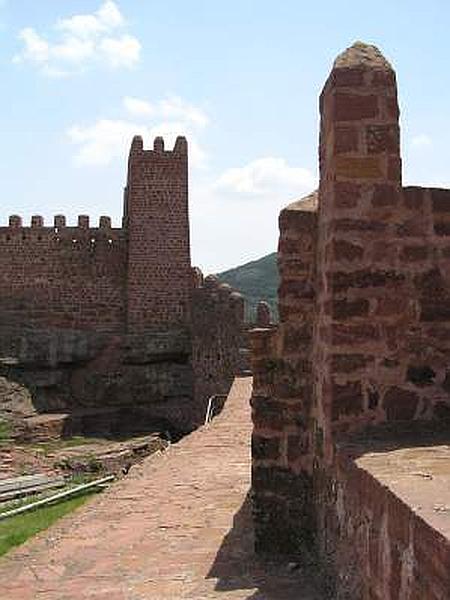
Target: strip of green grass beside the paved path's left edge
(16,530)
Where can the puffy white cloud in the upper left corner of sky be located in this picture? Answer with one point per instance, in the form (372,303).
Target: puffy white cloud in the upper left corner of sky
(83,40)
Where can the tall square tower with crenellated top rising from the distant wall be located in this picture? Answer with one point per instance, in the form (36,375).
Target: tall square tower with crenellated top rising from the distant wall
(156,218)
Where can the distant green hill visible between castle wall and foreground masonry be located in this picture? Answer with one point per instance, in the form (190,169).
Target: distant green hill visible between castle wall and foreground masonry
(256,280)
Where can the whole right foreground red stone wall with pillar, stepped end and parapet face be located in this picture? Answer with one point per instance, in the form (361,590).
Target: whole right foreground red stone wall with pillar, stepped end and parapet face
(362,348)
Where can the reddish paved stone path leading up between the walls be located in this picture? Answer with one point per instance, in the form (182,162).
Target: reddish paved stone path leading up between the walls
(177,527)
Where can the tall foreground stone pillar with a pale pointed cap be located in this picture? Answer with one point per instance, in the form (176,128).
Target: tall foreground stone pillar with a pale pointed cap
(360,179)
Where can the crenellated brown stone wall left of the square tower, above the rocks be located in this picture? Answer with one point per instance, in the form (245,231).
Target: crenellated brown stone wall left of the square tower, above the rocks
(67,277)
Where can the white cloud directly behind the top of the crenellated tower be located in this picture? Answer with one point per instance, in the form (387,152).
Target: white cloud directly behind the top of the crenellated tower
(105,140)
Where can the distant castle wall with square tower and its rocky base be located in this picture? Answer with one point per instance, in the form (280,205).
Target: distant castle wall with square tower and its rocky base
(111,318)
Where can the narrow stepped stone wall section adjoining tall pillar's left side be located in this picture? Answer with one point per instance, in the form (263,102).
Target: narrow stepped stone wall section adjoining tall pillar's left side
(282,391)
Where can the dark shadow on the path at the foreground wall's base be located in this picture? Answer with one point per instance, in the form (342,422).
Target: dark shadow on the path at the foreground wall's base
(237,568)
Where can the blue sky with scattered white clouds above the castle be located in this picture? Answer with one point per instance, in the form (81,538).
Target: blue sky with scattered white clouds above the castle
(240,78)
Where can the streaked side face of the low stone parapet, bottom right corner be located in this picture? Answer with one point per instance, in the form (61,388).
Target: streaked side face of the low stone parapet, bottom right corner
(377,546)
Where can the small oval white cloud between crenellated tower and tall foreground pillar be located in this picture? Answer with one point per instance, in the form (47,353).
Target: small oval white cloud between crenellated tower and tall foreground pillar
(266,176)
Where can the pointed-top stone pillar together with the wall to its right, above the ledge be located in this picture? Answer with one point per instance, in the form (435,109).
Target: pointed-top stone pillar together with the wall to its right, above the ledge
(381,351)
